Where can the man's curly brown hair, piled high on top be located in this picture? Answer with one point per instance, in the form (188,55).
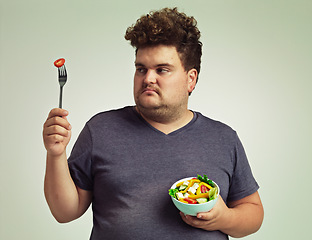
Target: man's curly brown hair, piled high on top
(169,27)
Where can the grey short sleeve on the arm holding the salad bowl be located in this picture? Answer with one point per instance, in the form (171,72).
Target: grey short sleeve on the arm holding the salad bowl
(243,182)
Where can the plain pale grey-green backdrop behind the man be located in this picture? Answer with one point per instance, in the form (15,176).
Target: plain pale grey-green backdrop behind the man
(256,77)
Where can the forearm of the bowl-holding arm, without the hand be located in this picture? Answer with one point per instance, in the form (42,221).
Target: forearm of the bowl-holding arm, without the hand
(243,219)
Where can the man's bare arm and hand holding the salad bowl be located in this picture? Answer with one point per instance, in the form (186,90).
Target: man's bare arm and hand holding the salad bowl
(240,218)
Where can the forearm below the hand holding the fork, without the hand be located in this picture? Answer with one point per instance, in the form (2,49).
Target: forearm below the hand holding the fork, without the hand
(60,191)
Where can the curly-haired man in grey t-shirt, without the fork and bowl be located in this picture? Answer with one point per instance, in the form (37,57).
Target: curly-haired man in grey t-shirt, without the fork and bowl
(125,160)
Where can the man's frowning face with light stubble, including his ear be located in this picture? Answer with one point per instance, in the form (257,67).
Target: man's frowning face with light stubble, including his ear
(160,81)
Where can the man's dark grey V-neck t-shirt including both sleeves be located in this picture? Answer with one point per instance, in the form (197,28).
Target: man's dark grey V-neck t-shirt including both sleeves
(129,166)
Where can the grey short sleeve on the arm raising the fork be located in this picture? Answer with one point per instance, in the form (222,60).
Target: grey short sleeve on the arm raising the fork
(80,160)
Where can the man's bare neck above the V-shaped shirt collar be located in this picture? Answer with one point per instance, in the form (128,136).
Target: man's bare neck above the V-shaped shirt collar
(168,124)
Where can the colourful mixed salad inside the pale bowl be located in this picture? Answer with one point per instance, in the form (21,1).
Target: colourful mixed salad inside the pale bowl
(195,191)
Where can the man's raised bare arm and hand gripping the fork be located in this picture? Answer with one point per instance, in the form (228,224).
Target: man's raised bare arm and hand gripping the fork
(66,201)
